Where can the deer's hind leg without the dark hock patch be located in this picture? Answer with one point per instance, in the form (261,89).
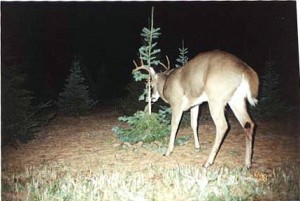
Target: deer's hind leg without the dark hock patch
(217,114)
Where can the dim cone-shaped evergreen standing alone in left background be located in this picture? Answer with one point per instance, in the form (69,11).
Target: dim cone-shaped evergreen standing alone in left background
(75,99)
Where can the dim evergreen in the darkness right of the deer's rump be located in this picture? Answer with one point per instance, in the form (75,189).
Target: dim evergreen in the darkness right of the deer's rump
(271,105)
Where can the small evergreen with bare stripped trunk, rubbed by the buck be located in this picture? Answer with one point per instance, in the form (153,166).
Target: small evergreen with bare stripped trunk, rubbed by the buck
(145,126)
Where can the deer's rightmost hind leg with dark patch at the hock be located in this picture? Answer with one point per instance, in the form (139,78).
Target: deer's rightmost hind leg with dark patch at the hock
(238,106)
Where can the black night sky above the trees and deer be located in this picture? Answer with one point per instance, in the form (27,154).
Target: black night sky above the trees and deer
(44,36)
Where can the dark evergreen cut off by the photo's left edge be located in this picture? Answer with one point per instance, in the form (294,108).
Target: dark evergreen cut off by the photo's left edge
(20,117)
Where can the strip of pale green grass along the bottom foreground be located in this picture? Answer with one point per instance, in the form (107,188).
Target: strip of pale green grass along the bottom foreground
(59,182)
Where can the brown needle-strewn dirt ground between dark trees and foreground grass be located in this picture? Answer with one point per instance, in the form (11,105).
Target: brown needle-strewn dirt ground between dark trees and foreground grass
(88,143)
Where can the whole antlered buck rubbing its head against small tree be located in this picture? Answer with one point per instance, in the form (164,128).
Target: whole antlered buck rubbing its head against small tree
(217,77)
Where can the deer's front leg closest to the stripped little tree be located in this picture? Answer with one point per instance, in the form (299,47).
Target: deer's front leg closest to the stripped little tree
(176,116)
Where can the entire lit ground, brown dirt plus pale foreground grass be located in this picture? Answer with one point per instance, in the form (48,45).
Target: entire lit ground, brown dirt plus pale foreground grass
(81,159)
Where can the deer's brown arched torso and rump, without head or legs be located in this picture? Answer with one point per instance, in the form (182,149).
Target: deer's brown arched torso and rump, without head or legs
(216,74)
